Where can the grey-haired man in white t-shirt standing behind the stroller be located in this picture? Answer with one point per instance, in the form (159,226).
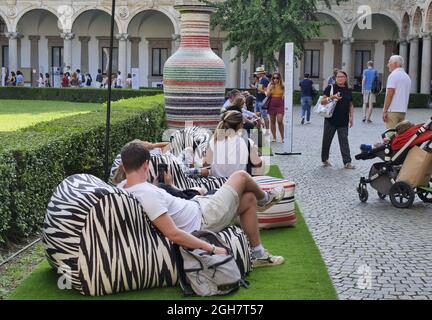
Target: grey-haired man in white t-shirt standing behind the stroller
(398,93)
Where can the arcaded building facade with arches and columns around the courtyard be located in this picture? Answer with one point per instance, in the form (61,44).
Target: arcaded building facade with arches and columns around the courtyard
(39,35)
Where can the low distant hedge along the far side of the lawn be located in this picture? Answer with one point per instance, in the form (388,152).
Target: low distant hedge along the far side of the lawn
(91,95)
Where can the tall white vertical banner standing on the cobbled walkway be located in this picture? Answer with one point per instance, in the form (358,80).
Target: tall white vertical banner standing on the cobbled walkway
(289,91)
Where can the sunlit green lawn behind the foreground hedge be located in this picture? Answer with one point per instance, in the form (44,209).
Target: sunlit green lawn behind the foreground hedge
(17,114)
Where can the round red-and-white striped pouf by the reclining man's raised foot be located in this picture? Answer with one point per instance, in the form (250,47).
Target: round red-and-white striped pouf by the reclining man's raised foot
(283,213)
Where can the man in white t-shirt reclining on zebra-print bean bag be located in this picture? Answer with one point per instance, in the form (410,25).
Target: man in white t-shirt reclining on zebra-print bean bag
(176,218)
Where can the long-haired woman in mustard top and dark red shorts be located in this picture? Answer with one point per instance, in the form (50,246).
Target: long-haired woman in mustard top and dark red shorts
(276,108)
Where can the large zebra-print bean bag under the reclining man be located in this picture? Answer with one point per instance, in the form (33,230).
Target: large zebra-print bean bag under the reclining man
(101,239)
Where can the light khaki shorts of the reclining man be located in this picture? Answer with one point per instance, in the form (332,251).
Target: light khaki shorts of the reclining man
(218,210)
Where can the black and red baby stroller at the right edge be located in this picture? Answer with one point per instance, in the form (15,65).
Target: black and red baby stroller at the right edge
(383,176)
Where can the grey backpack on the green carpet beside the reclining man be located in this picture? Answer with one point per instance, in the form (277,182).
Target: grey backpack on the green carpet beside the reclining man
(208,274)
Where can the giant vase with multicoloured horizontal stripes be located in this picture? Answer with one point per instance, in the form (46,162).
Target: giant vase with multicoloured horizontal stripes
(194,77)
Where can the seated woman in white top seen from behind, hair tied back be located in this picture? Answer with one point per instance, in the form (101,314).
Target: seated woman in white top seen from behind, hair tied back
(228,150)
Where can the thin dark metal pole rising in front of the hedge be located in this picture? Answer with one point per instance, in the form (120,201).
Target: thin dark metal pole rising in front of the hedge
(108,119)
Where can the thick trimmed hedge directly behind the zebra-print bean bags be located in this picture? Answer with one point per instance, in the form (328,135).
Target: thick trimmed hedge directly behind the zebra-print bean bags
(33,161)
